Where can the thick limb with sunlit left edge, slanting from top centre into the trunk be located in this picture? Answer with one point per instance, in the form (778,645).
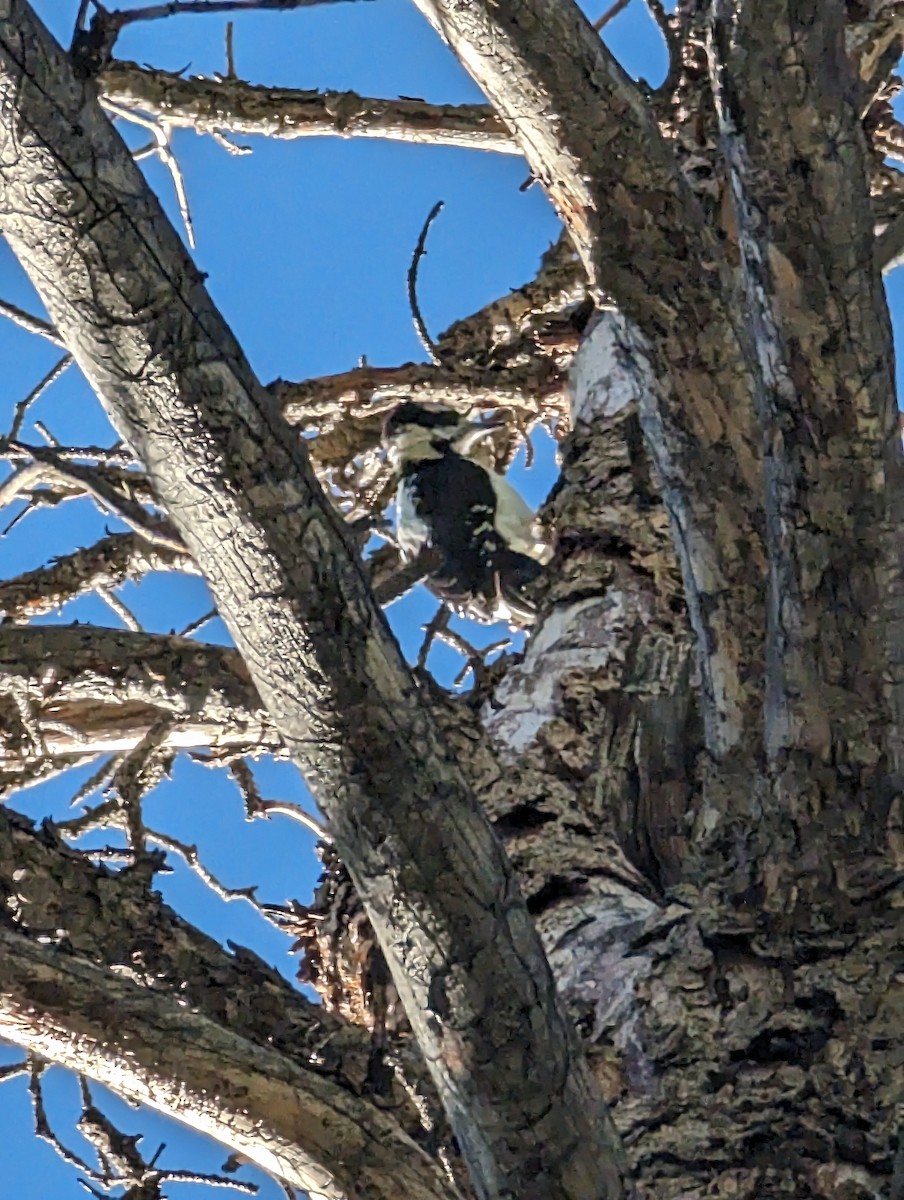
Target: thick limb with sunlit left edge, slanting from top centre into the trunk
(592,141)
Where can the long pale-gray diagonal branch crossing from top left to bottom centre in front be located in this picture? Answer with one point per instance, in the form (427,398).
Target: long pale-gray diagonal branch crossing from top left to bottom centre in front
(238,487)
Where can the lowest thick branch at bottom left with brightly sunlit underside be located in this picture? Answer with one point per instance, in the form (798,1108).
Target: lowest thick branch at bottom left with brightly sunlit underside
(295,1124)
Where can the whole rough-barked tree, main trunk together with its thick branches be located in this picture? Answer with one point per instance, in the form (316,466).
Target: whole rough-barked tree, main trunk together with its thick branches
(658,860)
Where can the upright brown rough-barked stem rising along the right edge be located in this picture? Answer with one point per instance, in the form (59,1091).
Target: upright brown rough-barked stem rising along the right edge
(822,357)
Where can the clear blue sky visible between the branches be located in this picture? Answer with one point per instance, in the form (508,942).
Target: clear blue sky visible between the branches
(307,247)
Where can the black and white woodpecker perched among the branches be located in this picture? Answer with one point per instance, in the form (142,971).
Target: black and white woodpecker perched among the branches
(448,500)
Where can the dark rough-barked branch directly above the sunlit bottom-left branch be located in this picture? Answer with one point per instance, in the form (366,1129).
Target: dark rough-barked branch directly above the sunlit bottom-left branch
(49,887)
